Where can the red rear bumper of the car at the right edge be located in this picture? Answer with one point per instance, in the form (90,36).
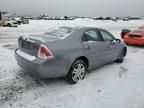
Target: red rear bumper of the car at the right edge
(134,41)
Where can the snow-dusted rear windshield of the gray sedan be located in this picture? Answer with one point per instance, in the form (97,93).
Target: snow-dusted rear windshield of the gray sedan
(59,32)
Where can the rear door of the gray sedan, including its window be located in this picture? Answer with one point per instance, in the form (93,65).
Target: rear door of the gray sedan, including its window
(94,47)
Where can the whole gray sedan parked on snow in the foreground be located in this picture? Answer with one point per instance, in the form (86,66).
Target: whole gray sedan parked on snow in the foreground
(68,52)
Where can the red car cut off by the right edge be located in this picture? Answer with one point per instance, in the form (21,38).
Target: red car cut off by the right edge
(135,37)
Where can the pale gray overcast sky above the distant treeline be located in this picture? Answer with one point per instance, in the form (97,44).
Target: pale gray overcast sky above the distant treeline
(75,7)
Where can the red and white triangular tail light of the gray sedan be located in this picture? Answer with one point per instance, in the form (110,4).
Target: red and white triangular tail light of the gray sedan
(44,52)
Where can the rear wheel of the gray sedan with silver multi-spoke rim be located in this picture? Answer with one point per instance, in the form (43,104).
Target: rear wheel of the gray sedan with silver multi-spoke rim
(77,72)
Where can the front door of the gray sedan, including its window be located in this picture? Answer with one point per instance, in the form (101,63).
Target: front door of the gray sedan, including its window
(112,48)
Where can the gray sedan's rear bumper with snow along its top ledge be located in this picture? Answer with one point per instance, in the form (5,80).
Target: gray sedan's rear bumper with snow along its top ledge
(41,68)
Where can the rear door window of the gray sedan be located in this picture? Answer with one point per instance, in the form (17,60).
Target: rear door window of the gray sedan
(91,35)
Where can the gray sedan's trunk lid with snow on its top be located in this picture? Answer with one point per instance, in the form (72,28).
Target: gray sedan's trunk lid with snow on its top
(32,43)
